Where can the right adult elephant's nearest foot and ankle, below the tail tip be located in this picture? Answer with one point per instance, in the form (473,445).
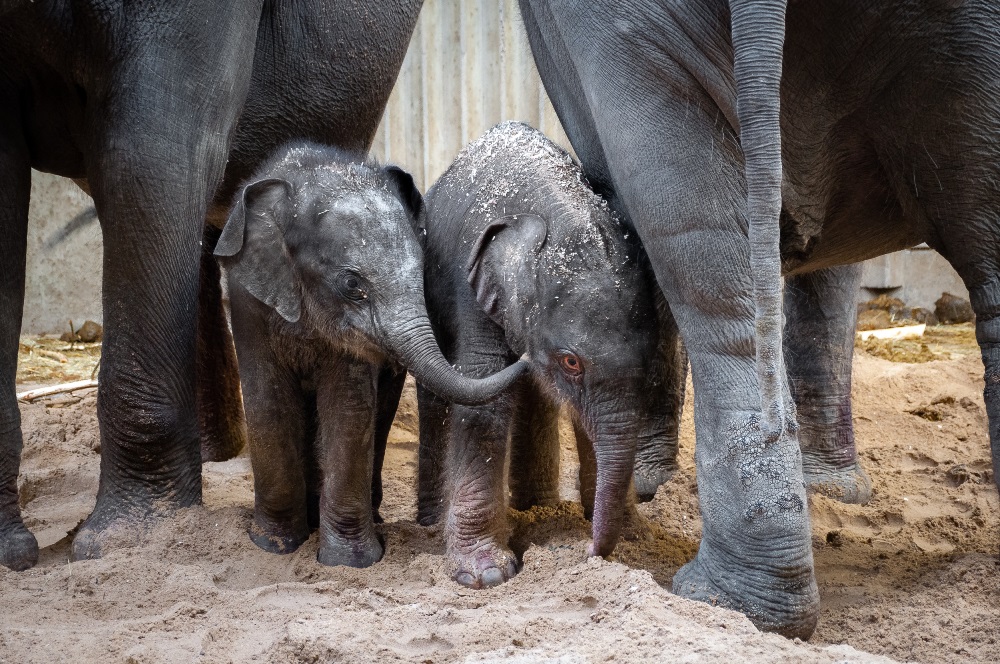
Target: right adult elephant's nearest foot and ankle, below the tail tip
(755,555)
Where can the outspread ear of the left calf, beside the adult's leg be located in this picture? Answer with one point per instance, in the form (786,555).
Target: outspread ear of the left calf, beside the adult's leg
(252,247)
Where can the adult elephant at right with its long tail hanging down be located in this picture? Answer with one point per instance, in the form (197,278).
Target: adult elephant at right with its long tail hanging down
(868,127)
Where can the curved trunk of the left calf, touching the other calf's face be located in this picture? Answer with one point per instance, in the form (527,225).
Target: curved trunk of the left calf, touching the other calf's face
(409,337)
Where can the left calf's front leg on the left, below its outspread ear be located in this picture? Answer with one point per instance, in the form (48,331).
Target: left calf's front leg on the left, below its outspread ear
(279,416)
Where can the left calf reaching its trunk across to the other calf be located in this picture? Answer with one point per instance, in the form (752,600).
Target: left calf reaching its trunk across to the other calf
(326,293)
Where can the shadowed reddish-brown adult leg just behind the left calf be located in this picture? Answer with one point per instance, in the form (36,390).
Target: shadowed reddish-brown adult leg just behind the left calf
(220,405)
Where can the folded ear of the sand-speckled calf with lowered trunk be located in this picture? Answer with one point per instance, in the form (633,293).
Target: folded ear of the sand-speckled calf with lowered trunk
(499,258)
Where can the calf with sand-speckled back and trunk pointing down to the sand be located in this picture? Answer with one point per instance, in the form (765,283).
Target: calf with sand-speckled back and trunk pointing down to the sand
(522,258)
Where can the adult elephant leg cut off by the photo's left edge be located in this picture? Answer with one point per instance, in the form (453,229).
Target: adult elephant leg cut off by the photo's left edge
(18,548)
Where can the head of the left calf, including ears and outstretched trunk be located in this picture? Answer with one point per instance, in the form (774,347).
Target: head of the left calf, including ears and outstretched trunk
(328,244)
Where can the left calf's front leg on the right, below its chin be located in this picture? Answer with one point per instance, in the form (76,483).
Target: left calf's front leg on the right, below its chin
(347,403)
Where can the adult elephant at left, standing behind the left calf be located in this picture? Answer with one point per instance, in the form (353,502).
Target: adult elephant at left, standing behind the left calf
(160,110)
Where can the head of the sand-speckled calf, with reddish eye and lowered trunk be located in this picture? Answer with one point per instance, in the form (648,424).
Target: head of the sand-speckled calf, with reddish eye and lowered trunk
(568,287)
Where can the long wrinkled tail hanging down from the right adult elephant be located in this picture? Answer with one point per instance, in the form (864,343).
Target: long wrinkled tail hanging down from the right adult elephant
(758,31)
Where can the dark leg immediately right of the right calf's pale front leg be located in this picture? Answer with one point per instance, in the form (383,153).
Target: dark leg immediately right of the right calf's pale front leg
(534,450)
